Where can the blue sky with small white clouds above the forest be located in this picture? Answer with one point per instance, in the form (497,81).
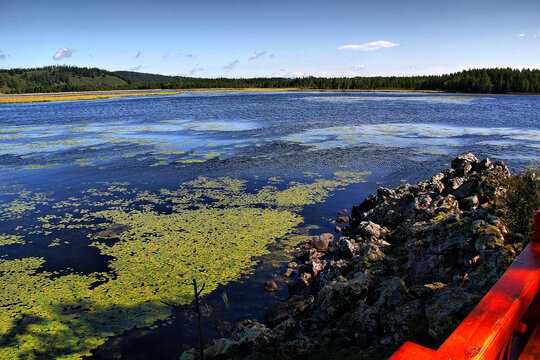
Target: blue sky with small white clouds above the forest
(288,38)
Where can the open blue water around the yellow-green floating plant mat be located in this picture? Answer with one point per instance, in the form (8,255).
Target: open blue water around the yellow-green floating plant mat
(154,142)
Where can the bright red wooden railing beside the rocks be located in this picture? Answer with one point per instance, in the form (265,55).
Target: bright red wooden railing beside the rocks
(511,307)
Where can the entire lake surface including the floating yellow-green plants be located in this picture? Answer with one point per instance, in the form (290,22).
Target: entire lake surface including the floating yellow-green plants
(109,208)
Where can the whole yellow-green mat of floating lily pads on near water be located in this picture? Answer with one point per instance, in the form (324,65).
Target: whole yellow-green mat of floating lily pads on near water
(209,229)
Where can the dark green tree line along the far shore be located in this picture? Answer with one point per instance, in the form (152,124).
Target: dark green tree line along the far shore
(70,78)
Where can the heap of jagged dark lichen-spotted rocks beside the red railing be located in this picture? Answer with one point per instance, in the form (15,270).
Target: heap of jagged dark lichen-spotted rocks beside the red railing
(410,264)
